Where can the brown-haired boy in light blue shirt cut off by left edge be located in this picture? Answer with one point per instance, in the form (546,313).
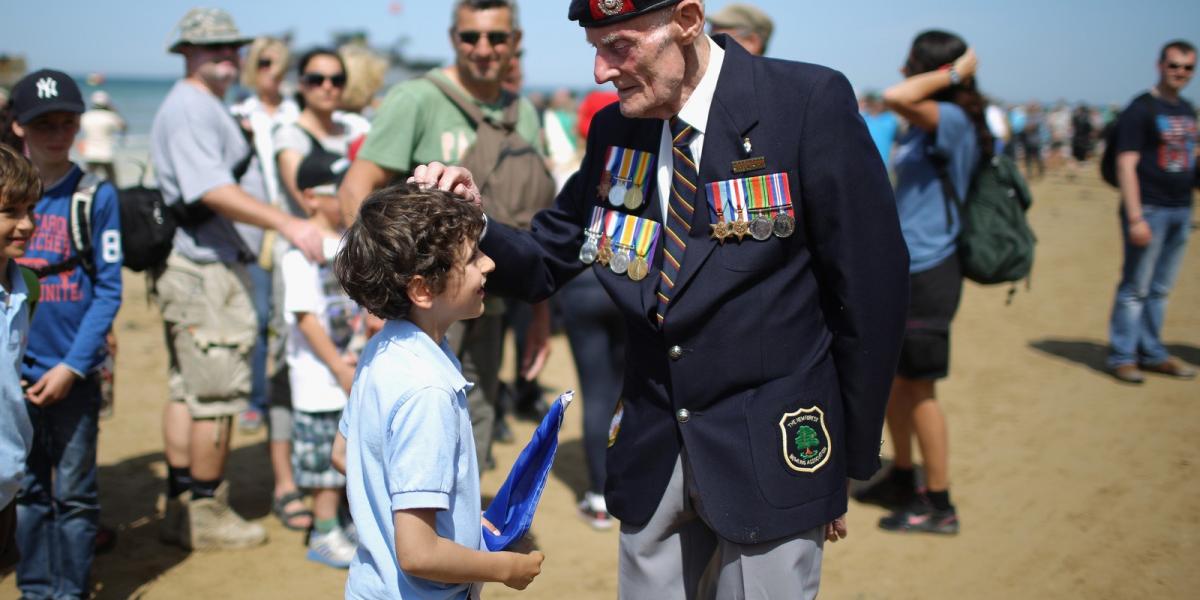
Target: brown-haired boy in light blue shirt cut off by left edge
(20,190)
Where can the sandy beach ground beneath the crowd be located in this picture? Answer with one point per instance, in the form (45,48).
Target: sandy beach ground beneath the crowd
(1069,484)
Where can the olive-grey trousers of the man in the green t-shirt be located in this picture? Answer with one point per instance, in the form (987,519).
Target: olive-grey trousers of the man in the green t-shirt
(479,345)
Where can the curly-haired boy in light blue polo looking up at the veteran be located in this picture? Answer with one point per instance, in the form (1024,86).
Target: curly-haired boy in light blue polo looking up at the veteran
(413,478)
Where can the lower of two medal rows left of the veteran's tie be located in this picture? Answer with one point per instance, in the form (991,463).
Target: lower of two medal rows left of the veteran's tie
(622,243)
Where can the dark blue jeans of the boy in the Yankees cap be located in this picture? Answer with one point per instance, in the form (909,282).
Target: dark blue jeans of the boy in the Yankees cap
(58,511)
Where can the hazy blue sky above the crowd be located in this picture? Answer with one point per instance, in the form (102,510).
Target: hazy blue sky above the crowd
(1100,51)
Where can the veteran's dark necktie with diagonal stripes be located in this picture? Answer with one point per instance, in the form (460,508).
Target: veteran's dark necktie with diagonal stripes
(680,209)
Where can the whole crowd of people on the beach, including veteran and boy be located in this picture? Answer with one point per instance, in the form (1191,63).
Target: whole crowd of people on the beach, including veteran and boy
(332,255)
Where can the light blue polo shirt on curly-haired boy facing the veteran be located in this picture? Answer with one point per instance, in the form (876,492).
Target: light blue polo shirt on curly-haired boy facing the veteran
(410,446)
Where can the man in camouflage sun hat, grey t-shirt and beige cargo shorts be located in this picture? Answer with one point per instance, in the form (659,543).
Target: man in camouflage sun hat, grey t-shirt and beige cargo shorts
(211,177)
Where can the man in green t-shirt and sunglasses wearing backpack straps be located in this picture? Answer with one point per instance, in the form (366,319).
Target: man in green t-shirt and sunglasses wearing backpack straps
(418,124)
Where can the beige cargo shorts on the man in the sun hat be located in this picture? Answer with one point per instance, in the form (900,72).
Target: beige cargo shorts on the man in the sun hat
(211,328)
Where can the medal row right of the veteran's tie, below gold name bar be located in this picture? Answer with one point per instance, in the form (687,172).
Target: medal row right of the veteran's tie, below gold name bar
(758,207)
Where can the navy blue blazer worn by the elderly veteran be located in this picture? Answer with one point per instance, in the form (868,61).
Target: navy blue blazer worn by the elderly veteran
(773,368)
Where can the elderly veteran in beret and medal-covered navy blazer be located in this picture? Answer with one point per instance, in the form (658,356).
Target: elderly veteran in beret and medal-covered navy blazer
(737,213)
